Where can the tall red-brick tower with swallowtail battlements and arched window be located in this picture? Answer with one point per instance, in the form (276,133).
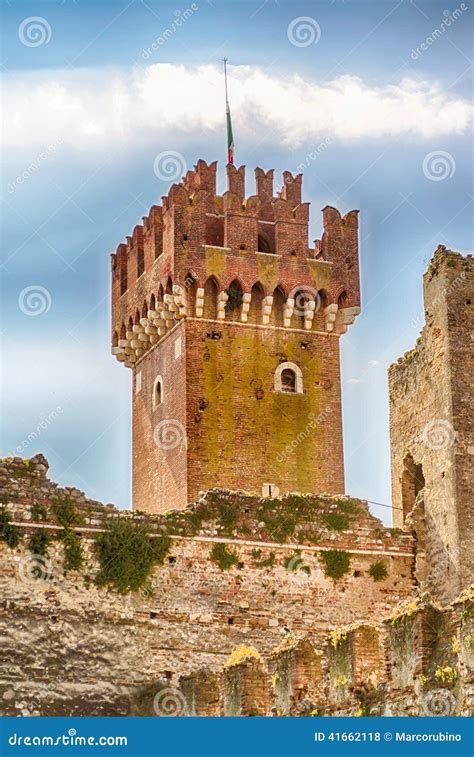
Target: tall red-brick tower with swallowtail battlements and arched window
(230,323)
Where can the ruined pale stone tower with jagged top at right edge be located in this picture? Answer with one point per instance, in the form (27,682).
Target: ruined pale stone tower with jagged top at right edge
(432,428)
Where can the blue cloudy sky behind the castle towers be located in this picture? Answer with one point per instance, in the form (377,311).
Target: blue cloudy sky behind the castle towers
(90,103)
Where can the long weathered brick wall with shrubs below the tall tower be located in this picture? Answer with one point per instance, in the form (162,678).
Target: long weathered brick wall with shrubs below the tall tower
(297,564)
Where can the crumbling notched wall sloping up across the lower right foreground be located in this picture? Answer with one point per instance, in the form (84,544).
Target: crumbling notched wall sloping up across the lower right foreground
(419,662)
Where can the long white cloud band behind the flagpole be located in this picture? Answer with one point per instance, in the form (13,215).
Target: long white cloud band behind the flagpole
(93,108)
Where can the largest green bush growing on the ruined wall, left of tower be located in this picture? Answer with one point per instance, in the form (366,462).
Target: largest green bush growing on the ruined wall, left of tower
(127,555)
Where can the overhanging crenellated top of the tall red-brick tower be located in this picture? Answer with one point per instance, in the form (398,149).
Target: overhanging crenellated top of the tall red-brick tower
(232,257)
